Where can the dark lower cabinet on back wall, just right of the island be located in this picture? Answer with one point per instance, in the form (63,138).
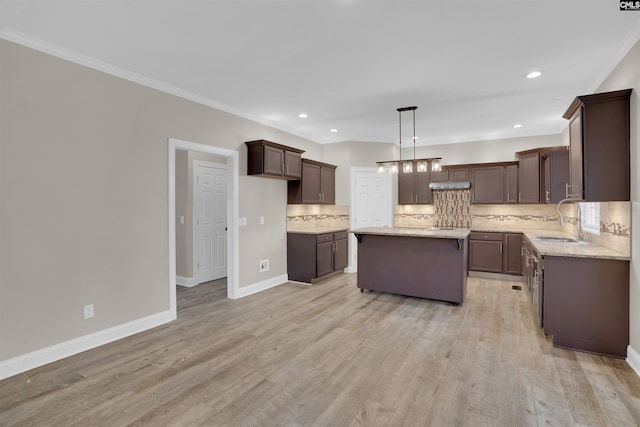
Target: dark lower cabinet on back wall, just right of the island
(495,252)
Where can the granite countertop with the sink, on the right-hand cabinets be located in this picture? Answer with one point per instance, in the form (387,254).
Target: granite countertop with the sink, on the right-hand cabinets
(573,250)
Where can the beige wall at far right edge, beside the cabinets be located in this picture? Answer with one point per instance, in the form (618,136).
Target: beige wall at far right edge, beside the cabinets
(627,75)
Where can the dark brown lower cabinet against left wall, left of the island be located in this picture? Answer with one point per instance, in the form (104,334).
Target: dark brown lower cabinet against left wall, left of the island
(310,256)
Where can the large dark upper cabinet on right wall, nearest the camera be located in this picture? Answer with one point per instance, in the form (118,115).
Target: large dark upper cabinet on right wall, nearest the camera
(599,159)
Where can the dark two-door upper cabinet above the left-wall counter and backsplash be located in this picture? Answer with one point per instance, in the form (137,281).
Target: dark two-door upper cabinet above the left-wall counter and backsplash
(317,184)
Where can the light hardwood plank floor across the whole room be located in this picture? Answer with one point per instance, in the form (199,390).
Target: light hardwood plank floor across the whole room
(328,355)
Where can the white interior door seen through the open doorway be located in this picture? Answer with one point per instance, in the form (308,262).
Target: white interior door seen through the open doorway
(210,207)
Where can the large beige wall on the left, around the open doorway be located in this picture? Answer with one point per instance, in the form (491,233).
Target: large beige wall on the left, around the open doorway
(84,219)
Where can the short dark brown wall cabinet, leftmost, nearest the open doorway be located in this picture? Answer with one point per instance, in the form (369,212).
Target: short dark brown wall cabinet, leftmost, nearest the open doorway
(272,160)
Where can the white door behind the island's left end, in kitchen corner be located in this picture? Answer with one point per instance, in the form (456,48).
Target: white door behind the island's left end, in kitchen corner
(371,204)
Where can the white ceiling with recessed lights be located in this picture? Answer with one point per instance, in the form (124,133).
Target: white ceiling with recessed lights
(349,64)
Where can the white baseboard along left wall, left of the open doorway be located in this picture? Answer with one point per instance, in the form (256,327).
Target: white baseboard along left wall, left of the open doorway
(26,362)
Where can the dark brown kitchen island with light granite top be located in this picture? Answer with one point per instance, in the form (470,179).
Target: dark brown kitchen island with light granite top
(419,262)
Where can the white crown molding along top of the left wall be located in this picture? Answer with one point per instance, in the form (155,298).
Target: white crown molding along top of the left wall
(87,61)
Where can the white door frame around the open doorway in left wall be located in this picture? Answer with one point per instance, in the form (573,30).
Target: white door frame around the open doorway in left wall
(233,252)
